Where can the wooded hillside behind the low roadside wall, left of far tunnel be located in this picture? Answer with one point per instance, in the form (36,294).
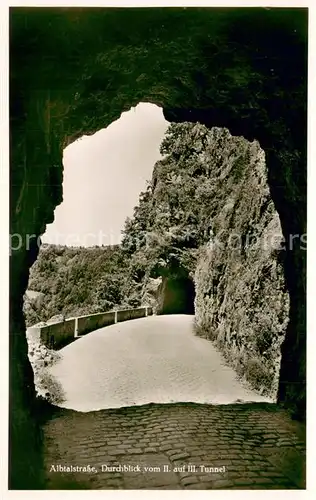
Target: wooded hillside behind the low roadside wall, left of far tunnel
(76,281)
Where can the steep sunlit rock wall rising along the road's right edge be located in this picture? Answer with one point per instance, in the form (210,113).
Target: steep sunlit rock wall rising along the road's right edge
(242,302)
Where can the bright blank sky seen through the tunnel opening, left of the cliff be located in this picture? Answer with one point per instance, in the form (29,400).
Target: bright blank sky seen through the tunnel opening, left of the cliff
(103,177)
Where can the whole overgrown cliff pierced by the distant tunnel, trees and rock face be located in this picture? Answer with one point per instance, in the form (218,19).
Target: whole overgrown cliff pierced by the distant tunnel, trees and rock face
(207,218)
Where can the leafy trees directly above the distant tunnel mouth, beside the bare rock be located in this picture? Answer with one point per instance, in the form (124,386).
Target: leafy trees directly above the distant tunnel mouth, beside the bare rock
(171,220)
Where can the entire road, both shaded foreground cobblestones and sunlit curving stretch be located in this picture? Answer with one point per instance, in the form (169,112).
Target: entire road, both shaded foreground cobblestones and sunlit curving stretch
(164,446)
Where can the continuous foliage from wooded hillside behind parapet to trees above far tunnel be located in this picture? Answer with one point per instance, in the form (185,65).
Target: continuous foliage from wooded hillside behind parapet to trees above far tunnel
(162,238)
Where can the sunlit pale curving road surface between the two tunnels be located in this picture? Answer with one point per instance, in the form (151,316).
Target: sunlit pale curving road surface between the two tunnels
(156,359)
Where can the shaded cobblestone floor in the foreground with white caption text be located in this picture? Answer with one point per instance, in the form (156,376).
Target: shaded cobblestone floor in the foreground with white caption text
(254,446)
